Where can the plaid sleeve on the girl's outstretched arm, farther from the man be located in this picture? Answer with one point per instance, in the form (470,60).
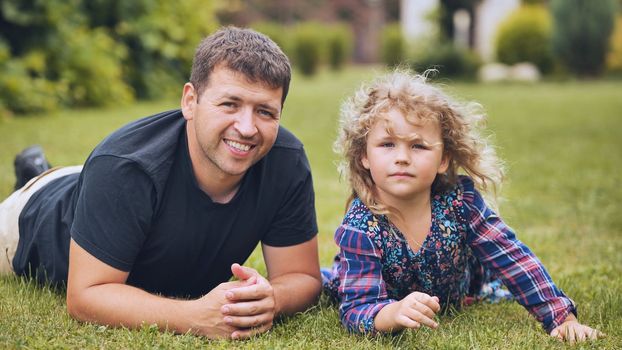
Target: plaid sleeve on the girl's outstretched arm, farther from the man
(496,246)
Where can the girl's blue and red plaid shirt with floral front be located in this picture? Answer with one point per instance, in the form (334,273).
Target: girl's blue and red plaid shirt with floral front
(375,267)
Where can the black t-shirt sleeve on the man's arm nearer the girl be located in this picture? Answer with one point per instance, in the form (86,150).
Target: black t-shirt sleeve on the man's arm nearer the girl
(295,221)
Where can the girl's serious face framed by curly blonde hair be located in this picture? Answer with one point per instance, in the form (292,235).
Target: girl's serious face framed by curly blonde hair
(405,159)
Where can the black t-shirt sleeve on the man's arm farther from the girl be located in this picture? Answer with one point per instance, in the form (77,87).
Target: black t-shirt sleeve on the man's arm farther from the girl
(114,210)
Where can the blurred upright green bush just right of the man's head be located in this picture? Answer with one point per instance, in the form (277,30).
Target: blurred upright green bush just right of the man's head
(307,47)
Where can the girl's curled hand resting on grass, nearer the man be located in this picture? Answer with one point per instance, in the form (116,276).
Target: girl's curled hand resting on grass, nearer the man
(414,310)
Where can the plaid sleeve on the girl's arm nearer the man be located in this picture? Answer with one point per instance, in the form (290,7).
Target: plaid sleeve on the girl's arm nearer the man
(362,291)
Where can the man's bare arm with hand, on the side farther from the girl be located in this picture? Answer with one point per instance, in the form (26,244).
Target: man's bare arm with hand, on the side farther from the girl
(96,292)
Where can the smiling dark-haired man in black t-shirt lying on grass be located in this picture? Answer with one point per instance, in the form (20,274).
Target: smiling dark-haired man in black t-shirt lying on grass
(153,226)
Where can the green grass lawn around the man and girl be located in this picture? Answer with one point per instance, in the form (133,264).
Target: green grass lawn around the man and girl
(563,147)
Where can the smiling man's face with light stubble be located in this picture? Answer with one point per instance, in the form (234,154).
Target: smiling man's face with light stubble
(232,125)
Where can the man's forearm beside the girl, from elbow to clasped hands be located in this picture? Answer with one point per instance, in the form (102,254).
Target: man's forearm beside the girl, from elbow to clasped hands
(295,292)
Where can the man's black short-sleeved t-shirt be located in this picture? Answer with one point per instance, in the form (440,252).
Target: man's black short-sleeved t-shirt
(137,207)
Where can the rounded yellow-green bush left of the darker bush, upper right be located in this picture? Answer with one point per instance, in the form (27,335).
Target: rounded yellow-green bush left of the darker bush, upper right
(525,37)
